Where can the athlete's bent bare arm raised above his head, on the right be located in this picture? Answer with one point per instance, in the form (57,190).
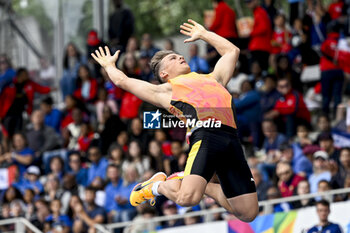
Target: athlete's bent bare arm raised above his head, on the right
(224,68)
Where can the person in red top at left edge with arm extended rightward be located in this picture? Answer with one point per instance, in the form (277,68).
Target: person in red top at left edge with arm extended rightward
(16,98)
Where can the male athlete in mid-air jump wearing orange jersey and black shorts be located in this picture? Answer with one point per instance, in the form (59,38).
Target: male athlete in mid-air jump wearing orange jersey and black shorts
(212,150)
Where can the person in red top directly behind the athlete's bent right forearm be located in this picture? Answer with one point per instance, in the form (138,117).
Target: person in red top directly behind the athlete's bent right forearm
(224,23)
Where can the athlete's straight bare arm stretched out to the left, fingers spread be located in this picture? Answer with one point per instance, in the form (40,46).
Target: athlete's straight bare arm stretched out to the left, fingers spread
(158,95)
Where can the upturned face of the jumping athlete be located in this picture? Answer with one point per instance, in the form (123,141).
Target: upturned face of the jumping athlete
(172,66)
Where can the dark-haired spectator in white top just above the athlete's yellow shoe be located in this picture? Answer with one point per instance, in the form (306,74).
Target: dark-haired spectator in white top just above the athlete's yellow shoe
(135,158)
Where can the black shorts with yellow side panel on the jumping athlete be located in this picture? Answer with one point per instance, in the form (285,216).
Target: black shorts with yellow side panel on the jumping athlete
(219,151)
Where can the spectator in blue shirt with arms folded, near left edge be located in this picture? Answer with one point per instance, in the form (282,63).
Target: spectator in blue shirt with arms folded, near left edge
(22,155)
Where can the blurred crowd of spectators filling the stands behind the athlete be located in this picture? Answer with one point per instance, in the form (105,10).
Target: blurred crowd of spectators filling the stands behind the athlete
(66,167)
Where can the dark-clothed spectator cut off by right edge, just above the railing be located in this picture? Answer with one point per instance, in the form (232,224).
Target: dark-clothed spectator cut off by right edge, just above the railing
(338,180)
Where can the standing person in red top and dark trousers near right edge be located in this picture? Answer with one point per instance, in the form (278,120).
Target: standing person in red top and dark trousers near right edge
(332,76)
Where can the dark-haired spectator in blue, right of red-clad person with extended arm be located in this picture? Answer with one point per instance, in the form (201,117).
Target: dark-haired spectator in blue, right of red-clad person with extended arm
(53,116)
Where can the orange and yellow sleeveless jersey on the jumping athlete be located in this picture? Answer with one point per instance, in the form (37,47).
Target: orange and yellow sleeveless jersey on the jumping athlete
(201,97)
